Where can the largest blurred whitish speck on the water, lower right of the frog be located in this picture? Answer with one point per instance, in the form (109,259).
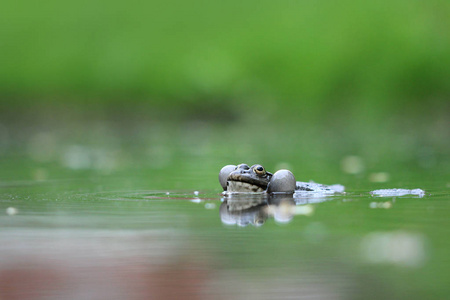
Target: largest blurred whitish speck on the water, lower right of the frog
(398,248)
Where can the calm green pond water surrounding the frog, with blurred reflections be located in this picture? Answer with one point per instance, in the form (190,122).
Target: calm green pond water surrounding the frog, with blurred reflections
(84,220)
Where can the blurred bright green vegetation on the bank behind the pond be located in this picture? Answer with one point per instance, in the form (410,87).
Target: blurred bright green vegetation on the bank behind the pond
(288,58)
